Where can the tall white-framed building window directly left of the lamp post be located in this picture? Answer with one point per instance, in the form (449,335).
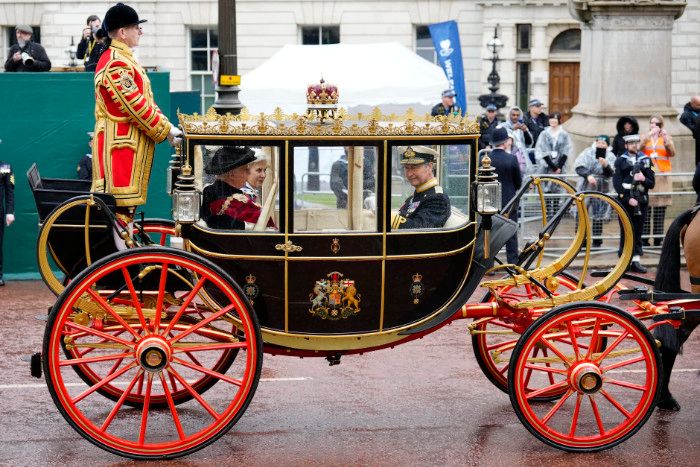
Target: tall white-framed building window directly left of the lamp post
(204,42)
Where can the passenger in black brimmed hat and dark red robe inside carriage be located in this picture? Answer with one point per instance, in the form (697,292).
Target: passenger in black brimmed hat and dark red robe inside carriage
(225,204)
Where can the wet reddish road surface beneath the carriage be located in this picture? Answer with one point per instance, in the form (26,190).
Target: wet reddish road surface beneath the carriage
(423,403)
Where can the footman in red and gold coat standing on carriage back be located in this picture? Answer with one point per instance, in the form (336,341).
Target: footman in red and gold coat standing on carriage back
(128,123)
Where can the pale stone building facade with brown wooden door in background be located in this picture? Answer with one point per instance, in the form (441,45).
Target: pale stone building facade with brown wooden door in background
(539,56)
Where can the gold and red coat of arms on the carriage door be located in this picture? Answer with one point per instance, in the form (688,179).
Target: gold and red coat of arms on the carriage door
(334,297)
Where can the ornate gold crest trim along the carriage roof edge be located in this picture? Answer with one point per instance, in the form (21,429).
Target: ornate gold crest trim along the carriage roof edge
(341,124)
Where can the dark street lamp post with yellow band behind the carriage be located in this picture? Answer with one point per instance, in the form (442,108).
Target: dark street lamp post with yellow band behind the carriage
(228,79)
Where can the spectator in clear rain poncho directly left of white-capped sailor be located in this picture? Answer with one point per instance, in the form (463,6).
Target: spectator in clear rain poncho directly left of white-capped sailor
(595,167)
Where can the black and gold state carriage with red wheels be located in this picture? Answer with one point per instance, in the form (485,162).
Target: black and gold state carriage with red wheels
(155,351)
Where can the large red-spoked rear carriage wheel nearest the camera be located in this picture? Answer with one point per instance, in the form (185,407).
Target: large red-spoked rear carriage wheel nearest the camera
(154,350)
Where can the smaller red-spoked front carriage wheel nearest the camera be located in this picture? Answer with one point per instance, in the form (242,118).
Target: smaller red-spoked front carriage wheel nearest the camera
(608,394)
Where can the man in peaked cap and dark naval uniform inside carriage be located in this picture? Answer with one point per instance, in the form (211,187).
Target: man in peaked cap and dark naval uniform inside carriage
(428,207)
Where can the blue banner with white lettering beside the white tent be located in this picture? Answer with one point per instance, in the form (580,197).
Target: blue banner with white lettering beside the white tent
(446,42)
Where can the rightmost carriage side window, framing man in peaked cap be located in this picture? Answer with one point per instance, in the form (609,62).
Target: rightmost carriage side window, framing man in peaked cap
(424,198)
